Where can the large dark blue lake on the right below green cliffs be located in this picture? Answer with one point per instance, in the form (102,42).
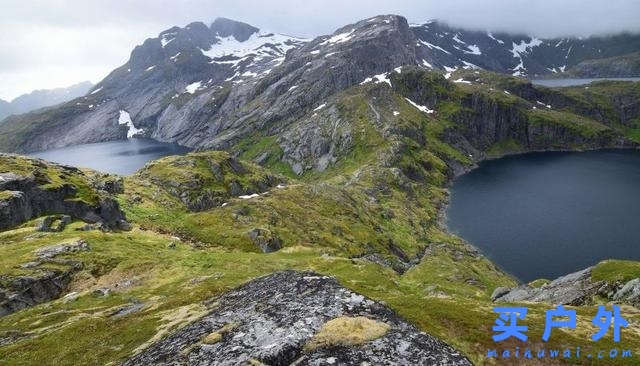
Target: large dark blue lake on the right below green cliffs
(543,215)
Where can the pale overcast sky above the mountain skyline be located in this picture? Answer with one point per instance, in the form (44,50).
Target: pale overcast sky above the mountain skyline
(53,43)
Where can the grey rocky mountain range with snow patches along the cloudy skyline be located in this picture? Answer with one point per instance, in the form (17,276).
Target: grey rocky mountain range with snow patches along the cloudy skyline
(208,86)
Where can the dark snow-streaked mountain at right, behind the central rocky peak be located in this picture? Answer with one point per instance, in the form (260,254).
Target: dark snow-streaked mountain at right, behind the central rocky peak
(521,55)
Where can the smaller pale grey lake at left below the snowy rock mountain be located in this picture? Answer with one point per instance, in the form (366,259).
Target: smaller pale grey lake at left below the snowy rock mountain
(118,157)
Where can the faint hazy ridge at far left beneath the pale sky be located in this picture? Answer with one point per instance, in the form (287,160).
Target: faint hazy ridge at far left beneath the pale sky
(43,98)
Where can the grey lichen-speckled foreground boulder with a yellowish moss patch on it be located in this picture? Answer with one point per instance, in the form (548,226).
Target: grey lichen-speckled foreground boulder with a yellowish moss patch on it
(298,318)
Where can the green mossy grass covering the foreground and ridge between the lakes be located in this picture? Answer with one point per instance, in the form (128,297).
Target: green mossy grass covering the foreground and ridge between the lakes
(386,189)
